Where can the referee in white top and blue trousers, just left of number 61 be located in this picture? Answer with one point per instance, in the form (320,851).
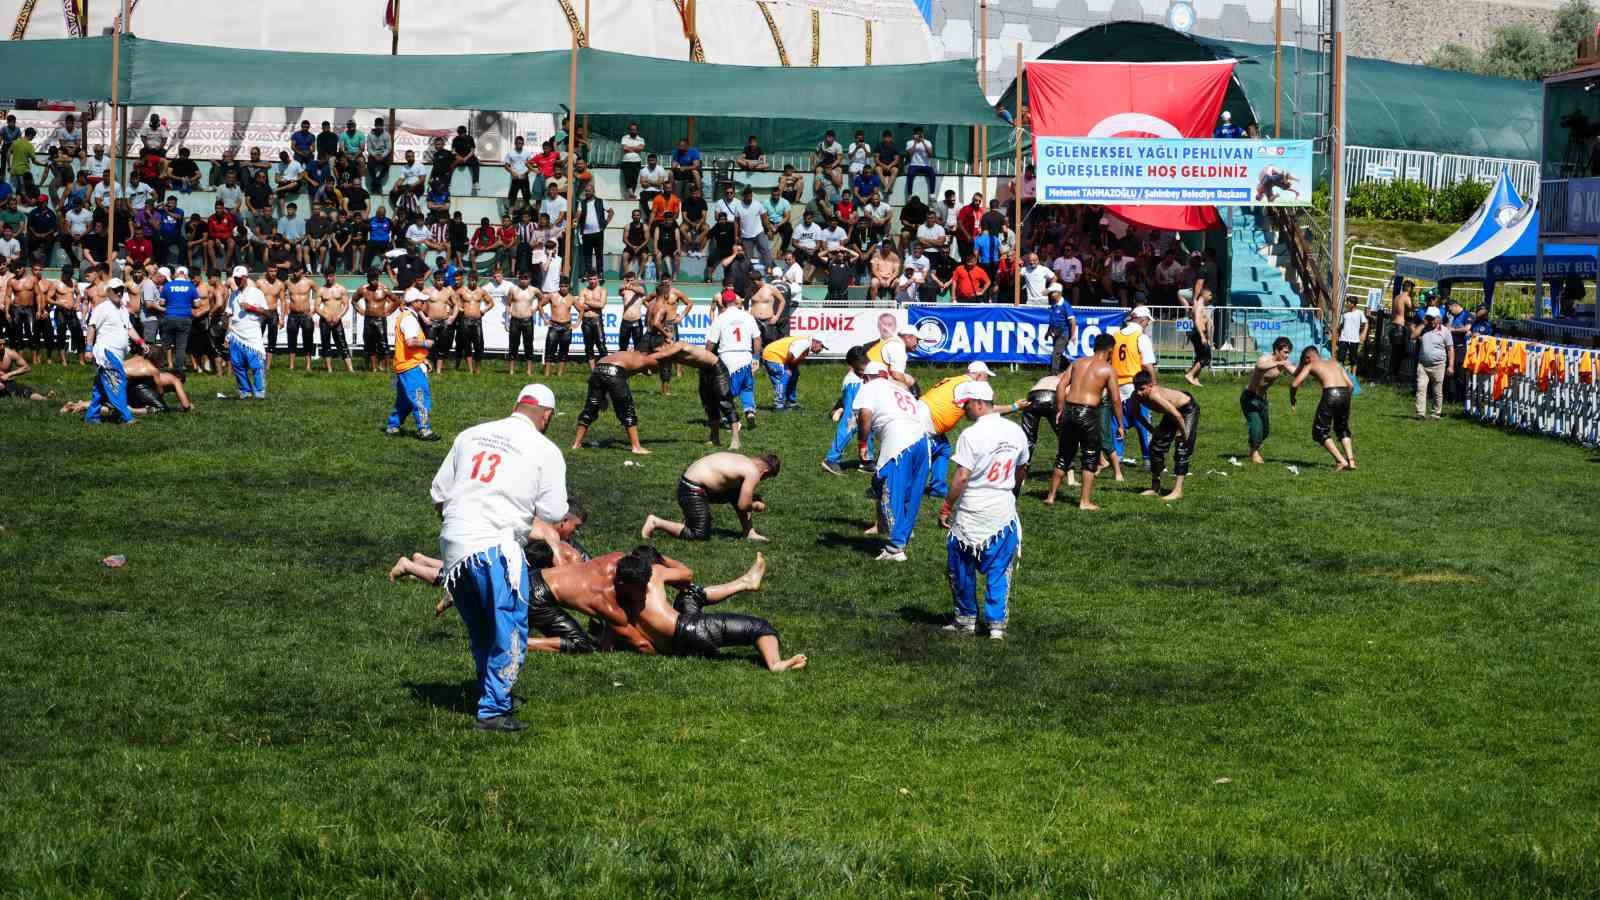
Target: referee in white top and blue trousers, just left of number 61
(890,414)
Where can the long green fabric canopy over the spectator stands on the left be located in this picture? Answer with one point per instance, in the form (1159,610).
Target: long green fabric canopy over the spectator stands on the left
(783,106)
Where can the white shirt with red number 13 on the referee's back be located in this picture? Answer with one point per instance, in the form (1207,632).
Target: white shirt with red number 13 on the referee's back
(498,478)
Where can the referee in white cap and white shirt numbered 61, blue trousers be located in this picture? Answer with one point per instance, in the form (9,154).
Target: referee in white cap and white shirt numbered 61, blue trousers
(991,467)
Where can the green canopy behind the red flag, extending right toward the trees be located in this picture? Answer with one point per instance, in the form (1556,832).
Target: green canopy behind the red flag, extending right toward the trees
(1390,105)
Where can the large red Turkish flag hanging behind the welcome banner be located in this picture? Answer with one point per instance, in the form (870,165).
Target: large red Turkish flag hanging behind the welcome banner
(1132,100)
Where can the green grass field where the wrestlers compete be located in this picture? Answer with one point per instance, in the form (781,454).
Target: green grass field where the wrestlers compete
(1319,685)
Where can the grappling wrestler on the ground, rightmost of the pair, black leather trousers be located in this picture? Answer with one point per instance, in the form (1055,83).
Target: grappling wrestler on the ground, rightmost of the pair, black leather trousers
(684,629)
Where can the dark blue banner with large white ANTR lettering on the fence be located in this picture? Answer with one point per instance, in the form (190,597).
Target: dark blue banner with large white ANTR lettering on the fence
(1001,334)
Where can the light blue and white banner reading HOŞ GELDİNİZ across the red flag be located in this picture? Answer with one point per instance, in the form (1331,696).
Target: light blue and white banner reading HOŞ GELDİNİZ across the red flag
(1175,172)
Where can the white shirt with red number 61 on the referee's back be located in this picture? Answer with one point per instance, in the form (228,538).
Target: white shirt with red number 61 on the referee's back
(993,449)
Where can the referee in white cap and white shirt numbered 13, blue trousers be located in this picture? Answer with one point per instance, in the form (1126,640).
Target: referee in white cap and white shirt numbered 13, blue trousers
(497,483)
